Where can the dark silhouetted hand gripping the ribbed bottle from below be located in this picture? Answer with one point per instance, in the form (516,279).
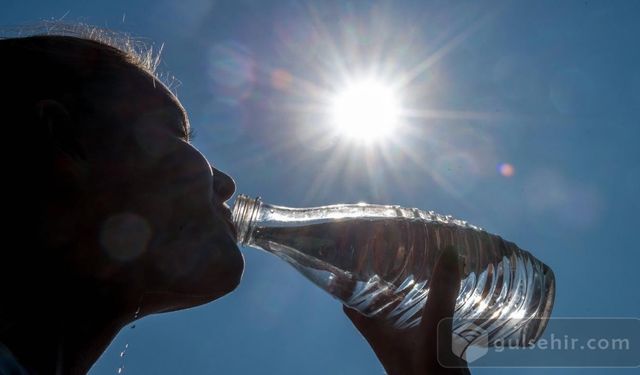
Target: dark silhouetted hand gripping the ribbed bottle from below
(414,351)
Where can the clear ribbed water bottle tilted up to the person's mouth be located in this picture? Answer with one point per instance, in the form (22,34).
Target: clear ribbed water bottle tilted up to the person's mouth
(379,260)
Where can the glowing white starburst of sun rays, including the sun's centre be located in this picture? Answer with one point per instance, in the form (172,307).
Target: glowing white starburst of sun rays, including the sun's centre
(355,97)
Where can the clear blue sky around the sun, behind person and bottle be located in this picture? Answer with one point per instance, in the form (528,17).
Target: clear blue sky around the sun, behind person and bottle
(551,88)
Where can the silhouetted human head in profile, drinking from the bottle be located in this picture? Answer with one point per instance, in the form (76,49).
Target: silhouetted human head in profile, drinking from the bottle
(114,202)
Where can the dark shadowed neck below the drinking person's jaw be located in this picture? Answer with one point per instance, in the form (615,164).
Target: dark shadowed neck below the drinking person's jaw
(66,340)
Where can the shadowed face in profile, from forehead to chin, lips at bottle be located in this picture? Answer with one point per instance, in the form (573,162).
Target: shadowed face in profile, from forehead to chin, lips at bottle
(179,240)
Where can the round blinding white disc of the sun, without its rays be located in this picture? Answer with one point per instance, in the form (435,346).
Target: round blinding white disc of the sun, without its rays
(365,111)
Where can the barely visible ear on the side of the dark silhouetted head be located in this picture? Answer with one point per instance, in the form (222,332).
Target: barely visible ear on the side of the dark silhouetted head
(56,122)
